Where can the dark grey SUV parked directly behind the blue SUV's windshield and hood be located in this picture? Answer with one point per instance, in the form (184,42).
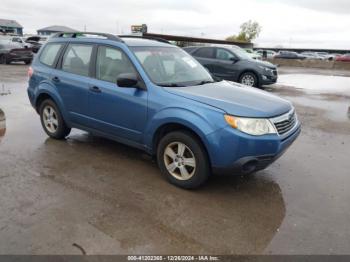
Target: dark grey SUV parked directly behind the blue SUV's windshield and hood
(234,64)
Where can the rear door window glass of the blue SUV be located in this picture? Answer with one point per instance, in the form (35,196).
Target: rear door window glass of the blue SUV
(76,59)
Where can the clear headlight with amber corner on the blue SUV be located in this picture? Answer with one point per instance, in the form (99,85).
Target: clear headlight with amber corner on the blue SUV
(251,126)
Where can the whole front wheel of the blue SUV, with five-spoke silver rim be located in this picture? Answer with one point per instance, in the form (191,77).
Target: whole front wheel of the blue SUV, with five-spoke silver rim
(183,160)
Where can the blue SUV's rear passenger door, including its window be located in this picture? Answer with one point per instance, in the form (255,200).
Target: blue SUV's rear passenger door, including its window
(72,80)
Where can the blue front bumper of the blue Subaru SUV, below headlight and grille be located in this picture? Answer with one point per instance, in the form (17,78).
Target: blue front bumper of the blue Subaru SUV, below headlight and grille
(237,153)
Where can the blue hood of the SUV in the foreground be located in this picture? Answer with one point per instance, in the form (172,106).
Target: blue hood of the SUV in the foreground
(235,99)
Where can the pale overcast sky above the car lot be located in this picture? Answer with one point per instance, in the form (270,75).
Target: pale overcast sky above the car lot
(287,23)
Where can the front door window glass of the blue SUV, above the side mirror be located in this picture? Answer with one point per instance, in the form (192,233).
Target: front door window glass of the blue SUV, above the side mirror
(112,62)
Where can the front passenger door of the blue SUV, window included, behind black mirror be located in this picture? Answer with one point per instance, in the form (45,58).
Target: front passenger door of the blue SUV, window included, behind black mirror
(116,110)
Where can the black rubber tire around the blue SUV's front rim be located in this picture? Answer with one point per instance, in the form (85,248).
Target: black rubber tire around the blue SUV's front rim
(201,171)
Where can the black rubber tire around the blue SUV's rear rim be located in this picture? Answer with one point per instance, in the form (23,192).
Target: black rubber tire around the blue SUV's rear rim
(61,130)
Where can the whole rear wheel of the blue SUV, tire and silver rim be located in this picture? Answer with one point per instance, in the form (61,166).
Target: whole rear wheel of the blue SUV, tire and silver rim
(52,120)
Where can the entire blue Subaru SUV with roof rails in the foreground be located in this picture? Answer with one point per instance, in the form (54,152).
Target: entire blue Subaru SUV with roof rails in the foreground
(154,96)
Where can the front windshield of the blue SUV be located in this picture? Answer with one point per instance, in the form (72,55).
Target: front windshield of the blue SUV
(171,66)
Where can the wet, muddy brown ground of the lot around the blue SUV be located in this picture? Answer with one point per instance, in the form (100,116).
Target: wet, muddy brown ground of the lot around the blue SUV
(88,194)
